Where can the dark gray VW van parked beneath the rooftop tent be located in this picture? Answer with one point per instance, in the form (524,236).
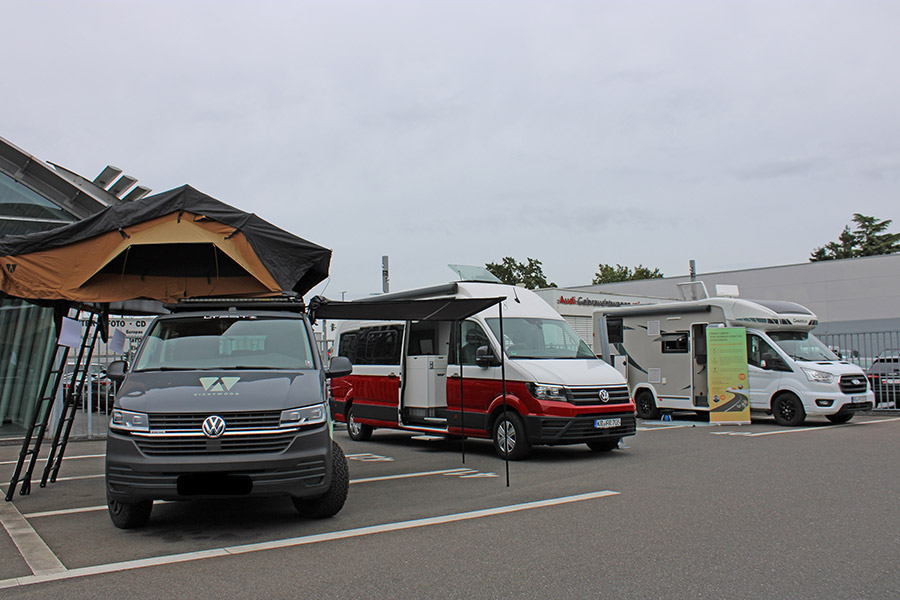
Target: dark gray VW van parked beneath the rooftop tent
(224,399)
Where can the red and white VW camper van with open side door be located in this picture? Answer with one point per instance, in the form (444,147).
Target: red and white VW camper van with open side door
(447,377)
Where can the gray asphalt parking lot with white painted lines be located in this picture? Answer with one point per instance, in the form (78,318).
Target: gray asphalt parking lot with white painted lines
(683,510)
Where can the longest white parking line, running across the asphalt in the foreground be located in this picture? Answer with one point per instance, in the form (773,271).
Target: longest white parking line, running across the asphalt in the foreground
(298,541)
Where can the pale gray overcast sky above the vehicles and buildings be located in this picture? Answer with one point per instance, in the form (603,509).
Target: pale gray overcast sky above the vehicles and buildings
(738,134)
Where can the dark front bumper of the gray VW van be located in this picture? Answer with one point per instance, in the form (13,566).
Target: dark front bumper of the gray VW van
(302,470)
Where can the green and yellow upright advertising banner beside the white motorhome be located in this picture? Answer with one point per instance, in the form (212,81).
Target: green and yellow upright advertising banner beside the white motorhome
(729,386)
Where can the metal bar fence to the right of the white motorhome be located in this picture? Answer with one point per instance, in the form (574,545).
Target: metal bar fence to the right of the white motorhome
(878,353)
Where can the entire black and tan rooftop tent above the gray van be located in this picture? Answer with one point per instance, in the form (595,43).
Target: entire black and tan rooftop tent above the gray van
(177,244)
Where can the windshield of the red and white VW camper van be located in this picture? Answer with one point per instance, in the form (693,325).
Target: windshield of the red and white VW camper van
(539,338)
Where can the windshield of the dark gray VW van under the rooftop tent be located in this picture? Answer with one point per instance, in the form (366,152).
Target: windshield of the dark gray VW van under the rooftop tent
(226,342)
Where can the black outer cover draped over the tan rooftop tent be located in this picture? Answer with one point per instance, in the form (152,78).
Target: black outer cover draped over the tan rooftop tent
(294,263)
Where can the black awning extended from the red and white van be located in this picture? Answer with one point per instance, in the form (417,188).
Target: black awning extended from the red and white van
(432,309)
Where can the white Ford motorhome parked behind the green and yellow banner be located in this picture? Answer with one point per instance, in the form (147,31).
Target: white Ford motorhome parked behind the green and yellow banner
(791,373)
